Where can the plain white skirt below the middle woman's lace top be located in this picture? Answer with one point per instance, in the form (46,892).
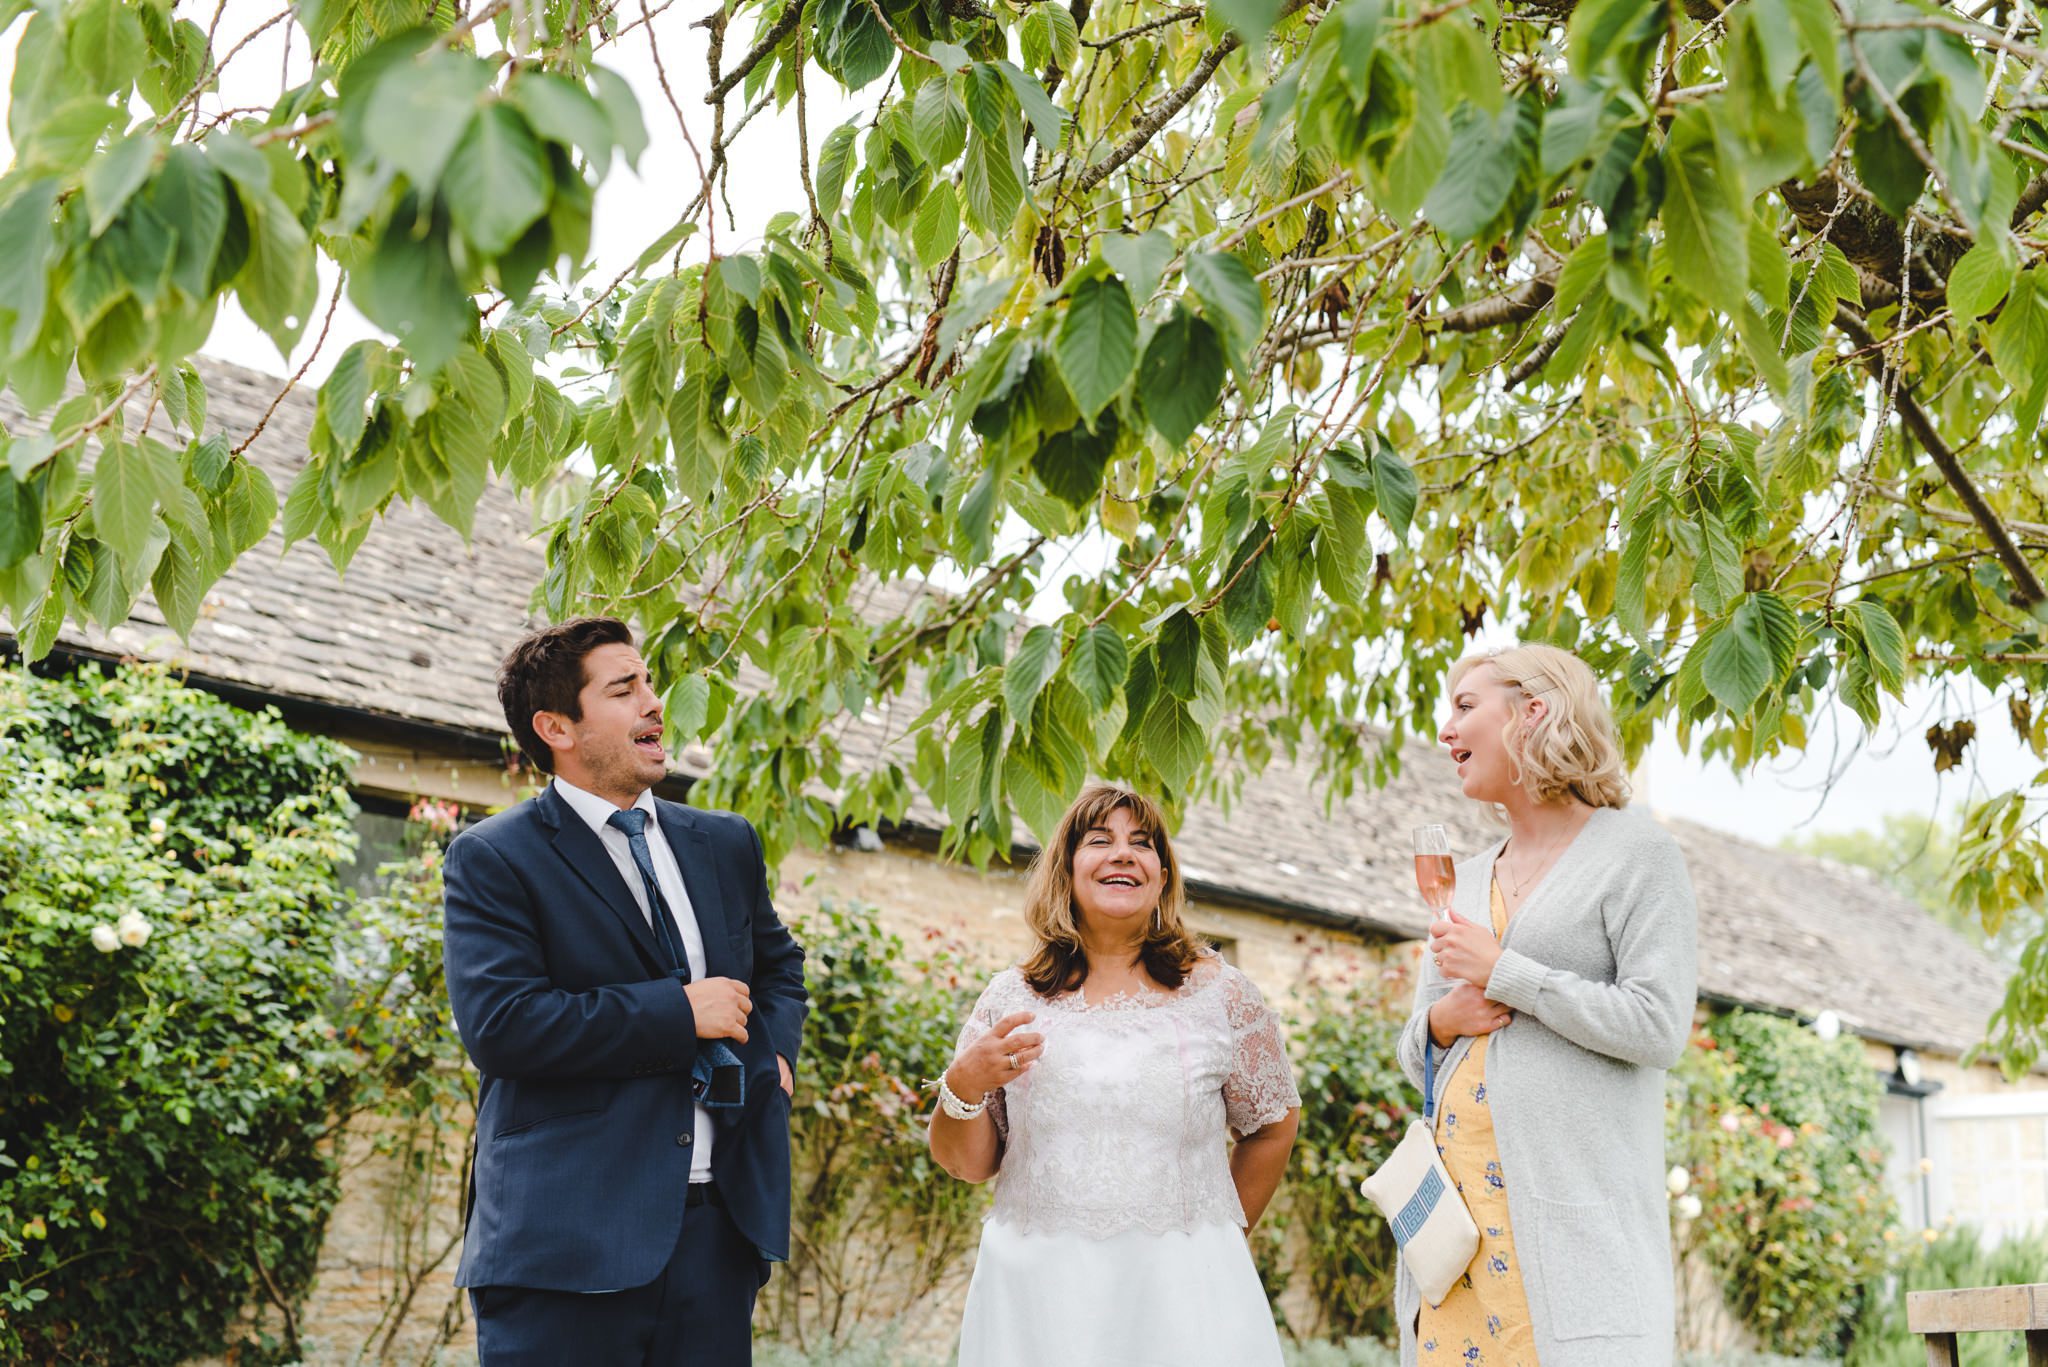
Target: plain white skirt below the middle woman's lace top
(1129,1300)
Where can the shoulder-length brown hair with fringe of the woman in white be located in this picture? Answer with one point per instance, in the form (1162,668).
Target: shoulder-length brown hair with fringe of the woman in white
(1060,962)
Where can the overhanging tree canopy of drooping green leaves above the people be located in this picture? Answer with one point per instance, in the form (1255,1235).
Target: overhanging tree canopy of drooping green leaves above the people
(1711,341)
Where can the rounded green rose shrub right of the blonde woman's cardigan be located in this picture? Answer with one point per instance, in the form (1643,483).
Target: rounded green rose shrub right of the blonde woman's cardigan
(1781,1136)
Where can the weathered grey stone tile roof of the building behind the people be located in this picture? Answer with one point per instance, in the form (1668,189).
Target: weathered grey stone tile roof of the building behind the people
(417,628)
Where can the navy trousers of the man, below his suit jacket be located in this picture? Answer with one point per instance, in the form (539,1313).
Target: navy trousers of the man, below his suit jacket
(695,1315)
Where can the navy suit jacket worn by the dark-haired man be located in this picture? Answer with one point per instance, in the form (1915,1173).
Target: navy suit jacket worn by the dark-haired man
(585,1046)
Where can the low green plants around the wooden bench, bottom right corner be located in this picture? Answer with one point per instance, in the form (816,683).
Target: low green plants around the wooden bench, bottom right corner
(1955,1259)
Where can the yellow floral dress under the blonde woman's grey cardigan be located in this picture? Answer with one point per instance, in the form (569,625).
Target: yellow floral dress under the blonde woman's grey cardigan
(1486,1319)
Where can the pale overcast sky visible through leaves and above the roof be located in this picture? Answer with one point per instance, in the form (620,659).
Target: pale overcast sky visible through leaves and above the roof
(1846,782)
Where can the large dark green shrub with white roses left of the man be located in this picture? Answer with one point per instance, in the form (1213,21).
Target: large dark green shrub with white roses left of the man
(189,1011)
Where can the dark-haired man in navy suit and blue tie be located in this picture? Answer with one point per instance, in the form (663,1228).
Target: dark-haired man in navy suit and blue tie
(634,1007)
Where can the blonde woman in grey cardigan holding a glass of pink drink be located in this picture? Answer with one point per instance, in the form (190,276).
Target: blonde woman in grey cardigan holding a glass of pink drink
(1555,997)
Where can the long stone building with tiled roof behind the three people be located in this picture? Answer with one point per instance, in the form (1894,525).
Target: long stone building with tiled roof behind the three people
(398,661)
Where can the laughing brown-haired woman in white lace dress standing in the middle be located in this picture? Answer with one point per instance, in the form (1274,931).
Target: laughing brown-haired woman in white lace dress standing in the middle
(1101,1085)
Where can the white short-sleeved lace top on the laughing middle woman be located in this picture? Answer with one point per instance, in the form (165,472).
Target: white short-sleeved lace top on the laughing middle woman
(1121,1124)
